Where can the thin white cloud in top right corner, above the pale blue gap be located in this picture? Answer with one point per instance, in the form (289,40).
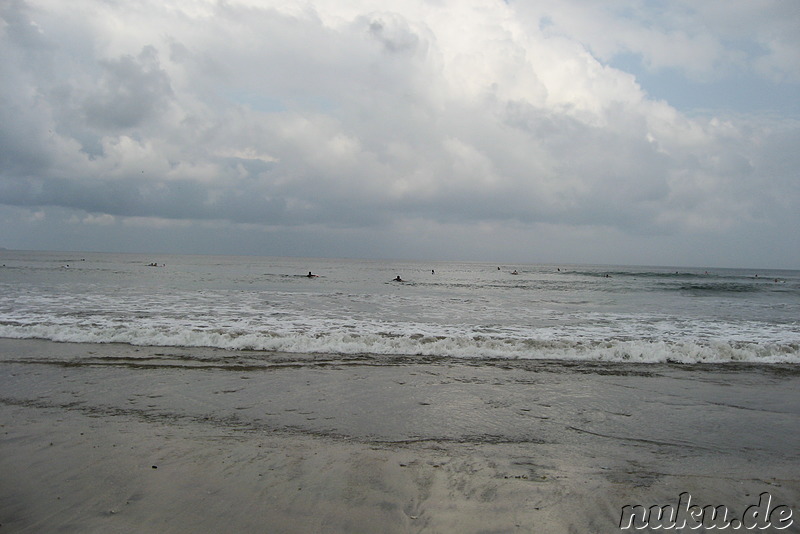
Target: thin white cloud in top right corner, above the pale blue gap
(703,40)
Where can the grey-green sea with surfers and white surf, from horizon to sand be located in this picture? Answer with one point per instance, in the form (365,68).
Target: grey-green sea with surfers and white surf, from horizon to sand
(440,309)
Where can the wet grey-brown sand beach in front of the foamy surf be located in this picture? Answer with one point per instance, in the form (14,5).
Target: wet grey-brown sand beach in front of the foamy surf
(113,438)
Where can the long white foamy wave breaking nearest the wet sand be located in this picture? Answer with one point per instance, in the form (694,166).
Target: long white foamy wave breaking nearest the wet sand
(454,346)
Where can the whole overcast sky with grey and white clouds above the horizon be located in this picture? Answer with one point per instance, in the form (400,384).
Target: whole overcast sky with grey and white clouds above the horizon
(565,131)
